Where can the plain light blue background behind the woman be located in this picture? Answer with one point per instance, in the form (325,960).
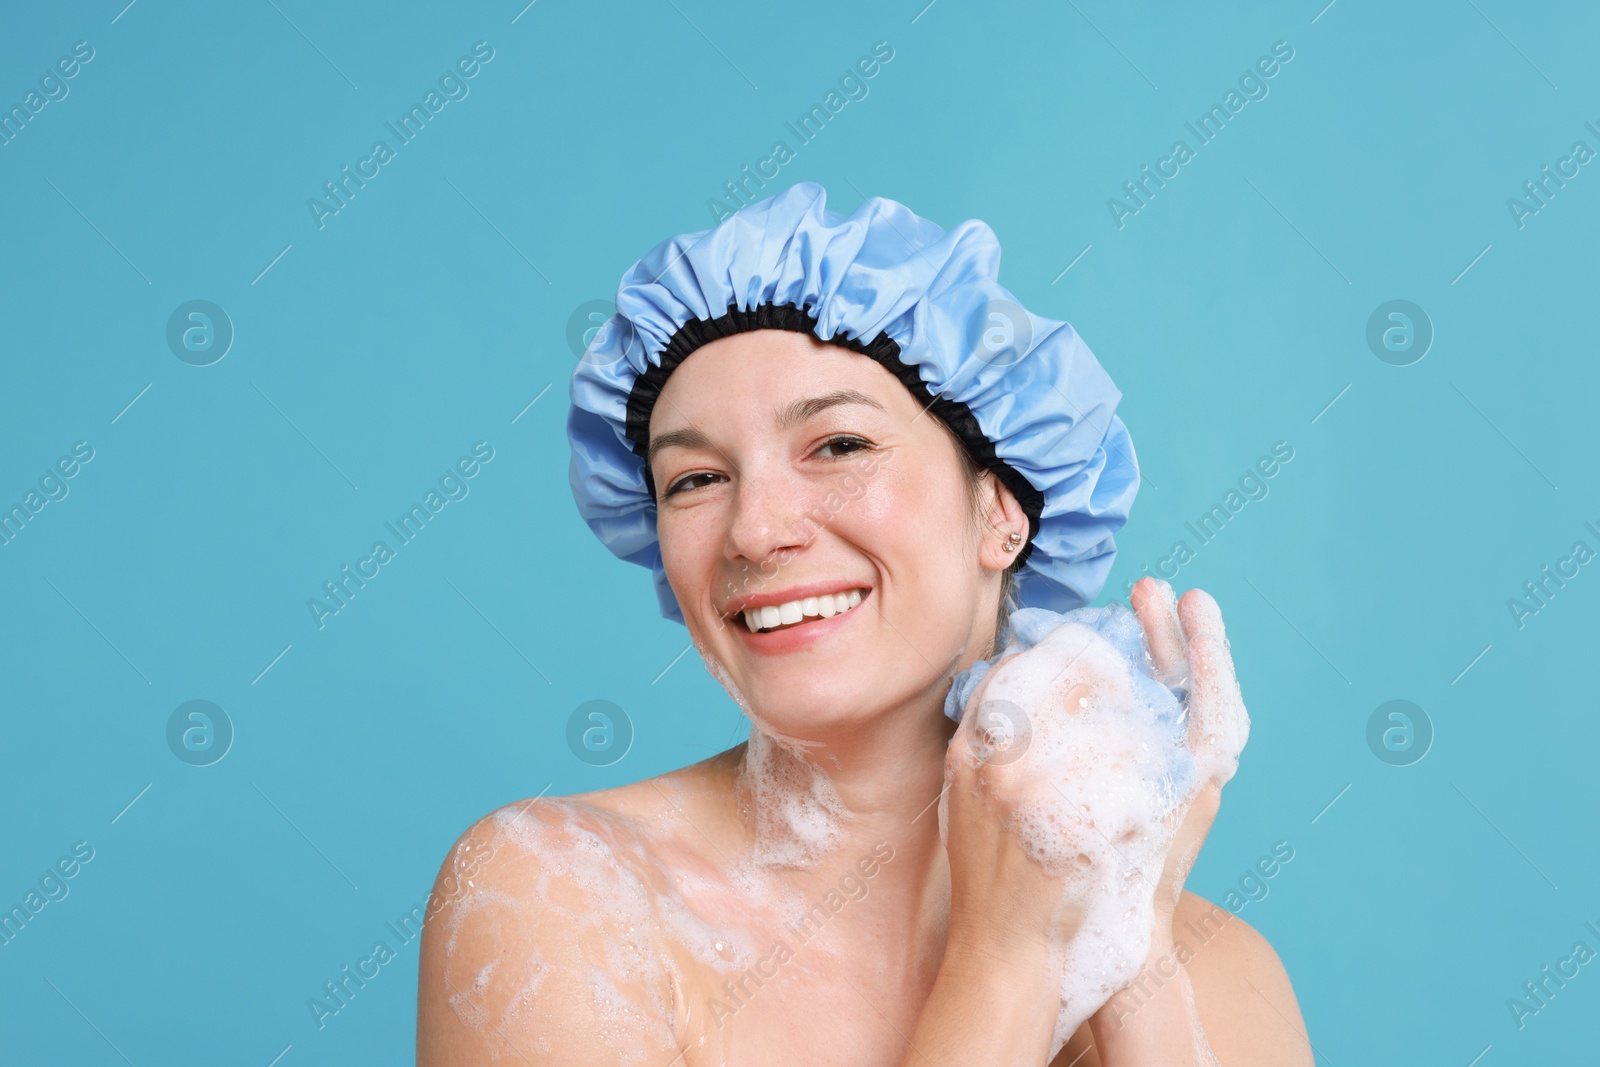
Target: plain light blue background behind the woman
(431,311)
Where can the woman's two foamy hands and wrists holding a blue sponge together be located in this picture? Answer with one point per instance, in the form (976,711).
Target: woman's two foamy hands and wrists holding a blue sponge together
(1079,793)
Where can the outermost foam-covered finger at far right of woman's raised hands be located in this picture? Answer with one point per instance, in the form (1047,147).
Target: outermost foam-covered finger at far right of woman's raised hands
(1218,724)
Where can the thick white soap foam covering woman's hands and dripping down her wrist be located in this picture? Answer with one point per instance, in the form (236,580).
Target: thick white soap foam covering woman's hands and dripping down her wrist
(1100,753)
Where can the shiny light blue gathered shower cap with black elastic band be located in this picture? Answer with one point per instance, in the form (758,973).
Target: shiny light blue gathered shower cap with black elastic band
(1023,393)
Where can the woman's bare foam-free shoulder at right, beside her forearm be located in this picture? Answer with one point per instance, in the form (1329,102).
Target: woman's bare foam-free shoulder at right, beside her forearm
(1242,991)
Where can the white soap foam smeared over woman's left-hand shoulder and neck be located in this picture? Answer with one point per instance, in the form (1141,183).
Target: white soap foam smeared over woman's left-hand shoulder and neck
(636,930)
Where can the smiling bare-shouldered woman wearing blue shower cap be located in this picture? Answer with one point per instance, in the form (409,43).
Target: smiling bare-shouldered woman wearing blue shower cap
(846,452)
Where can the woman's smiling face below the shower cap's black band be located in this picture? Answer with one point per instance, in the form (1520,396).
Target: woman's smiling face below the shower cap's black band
(790,470)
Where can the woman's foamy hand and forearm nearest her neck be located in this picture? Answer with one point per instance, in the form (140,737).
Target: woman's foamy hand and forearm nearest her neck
(1014,909)
